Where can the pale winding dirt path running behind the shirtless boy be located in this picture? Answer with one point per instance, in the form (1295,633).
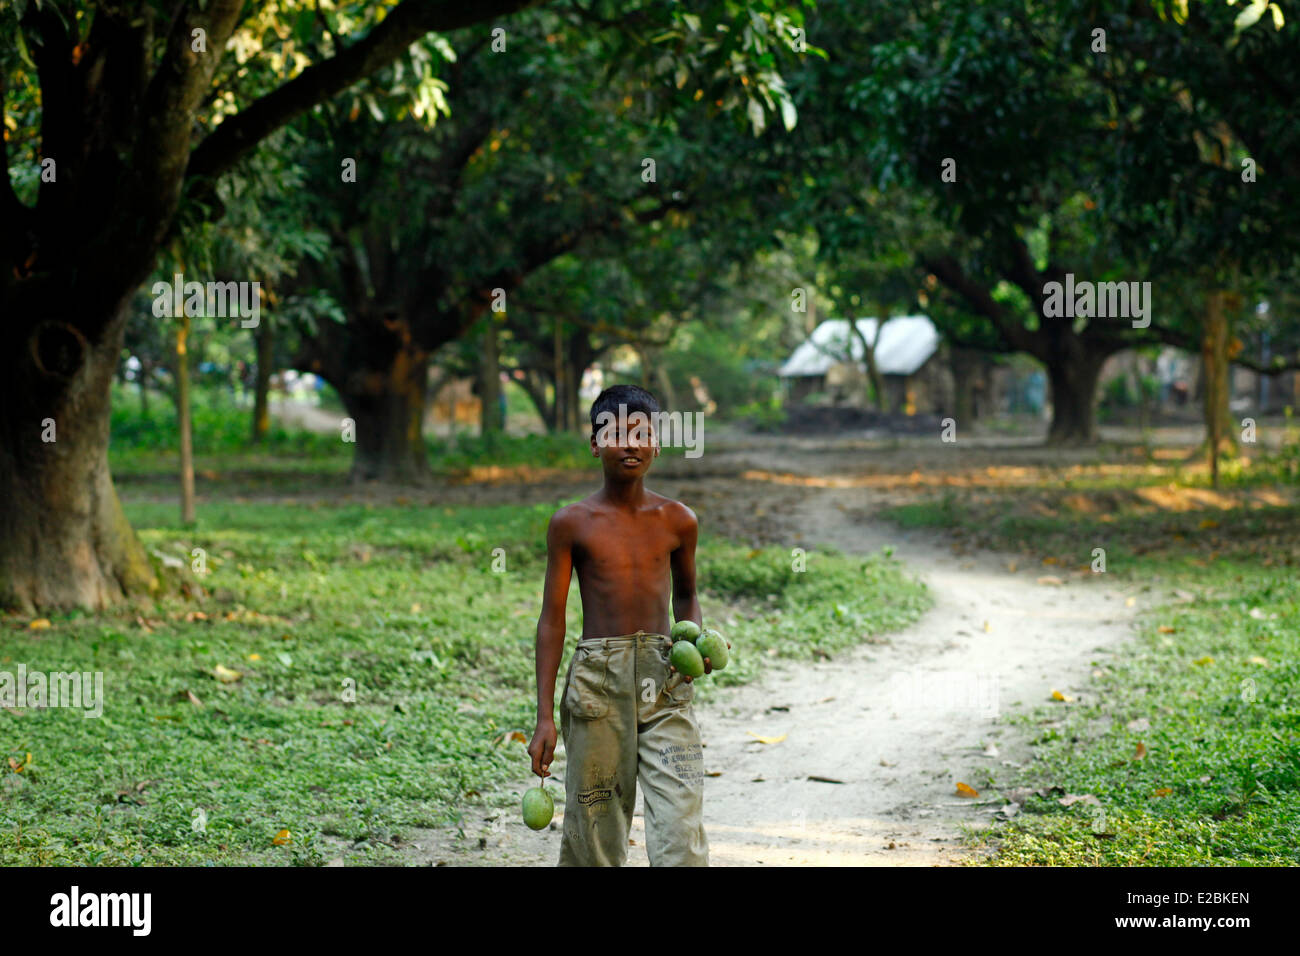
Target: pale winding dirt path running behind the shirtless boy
(898,724)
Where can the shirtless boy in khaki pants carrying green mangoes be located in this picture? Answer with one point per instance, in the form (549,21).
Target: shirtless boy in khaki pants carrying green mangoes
(626,715)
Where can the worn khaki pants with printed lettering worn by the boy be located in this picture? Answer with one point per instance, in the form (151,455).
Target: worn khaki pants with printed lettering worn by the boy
(623,721)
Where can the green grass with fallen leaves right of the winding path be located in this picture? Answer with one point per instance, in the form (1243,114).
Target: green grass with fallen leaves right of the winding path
(1190,738)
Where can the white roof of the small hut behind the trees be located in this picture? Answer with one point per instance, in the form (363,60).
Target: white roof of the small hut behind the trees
(907,343)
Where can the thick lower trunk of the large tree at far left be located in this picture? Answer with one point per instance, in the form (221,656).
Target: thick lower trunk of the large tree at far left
(64,539)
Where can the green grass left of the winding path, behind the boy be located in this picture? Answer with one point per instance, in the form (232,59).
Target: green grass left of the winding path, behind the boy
(385,680)
